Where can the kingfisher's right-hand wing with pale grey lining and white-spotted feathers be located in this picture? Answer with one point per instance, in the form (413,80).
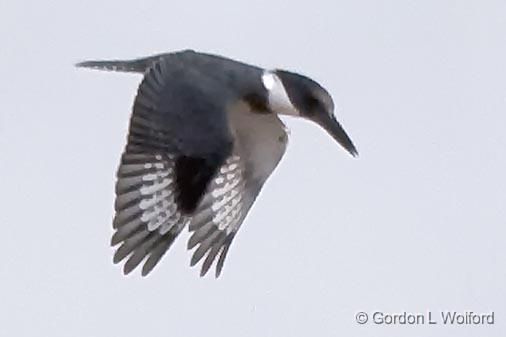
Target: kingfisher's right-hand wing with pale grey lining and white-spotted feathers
(260,143)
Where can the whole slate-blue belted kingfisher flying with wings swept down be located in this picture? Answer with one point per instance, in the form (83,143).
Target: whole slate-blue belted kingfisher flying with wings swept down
(204,137)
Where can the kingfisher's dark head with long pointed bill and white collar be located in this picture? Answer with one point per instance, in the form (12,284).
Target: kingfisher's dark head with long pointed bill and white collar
(297,95)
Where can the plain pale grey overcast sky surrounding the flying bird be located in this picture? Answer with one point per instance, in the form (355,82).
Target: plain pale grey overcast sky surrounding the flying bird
(416,223)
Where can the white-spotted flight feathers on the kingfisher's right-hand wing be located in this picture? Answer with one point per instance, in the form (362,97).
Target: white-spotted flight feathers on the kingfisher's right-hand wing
(220,215)
